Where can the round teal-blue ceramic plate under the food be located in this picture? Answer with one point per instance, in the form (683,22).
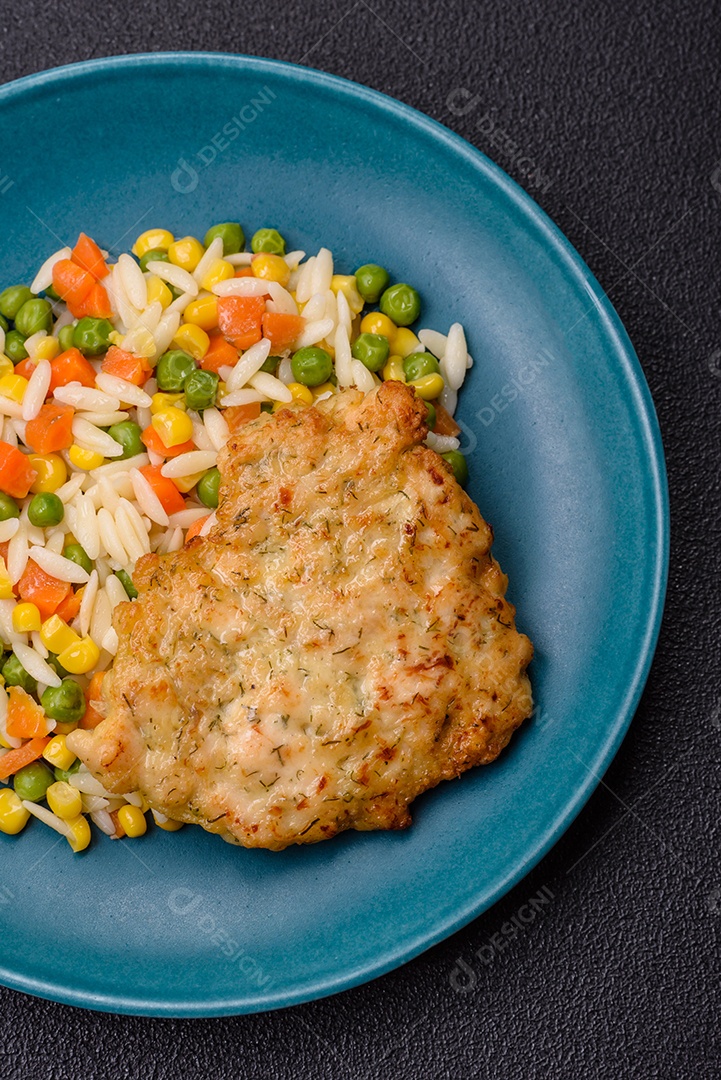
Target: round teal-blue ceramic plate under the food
(566,462)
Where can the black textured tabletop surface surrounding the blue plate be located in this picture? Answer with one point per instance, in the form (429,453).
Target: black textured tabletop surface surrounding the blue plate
(609,116)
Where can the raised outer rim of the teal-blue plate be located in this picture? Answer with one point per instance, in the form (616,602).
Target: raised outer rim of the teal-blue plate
(643,410)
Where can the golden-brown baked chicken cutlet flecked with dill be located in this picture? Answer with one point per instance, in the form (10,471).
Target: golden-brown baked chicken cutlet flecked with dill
(337,644)
